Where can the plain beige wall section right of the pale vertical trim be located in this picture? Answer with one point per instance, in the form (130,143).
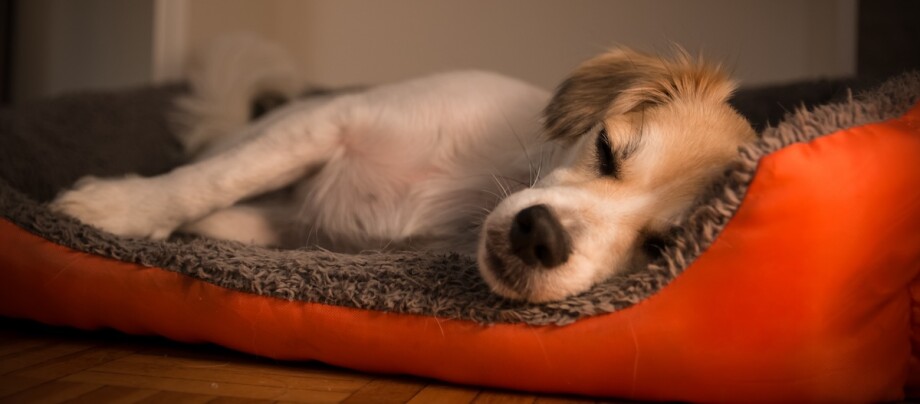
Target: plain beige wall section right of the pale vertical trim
(367,41)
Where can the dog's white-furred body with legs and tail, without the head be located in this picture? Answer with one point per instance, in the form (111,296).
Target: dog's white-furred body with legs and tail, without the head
(416,164)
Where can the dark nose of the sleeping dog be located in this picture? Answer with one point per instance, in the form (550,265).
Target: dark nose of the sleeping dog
(536,236)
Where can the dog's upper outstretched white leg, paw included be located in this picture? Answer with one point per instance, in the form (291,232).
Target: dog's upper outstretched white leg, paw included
(154,207)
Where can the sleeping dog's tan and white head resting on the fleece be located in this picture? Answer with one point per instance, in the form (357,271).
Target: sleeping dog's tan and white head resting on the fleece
(640,138)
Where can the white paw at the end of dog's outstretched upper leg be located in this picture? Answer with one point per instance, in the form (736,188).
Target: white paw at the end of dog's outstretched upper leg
(129,206)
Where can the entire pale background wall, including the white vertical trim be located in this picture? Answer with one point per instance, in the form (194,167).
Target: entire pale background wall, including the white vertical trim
(342,42)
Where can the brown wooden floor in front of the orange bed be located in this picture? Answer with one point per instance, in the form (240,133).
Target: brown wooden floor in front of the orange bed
(41,364)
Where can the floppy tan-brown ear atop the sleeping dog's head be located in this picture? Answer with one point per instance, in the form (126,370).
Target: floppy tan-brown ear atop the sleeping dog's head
(622,81)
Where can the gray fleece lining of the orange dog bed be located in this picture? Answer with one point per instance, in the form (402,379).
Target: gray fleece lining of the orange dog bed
(46,146)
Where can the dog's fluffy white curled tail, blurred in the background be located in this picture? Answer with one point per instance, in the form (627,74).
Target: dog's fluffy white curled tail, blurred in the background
(234,80)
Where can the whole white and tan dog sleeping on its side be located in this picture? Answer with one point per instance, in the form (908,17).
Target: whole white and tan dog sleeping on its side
(552,193)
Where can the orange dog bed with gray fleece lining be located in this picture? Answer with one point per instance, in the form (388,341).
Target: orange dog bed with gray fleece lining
(792,280)
